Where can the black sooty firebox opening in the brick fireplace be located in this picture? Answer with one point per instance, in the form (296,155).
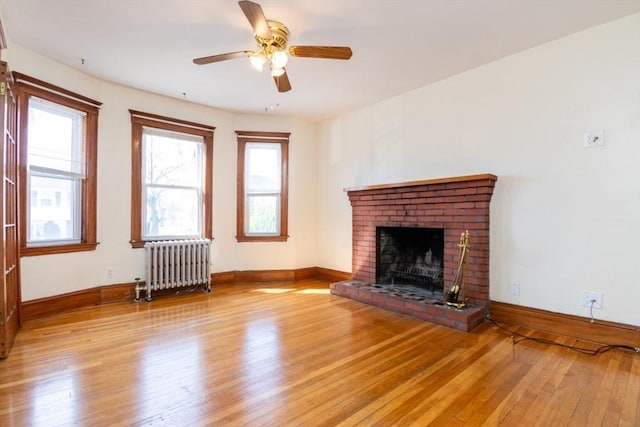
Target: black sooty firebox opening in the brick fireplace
(411,259)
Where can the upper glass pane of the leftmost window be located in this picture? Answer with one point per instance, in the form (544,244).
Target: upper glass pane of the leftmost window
(55,137)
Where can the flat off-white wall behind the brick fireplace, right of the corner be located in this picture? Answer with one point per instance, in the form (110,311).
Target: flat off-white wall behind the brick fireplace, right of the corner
(564,218)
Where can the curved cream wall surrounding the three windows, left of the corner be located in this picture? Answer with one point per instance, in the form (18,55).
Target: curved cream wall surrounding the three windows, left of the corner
(49,275)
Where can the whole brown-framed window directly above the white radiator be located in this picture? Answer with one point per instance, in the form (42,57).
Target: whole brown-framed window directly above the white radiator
(171,179)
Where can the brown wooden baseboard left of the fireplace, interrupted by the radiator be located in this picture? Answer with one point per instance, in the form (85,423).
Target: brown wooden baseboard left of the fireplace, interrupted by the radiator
(126,291)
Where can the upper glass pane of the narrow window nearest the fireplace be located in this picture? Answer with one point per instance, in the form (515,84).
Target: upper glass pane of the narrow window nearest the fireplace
(262,167)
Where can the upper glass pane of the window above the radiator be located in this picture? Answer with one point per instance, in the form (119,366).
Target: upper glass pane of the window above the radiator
(172,158)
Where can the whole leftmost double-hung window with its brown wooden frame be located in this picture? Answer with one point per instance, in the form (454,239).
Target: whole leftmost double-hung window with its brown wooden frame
(58,144)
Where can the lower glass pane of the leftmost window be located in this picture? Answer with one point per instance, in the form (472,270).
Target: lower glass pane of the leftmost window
(51,217)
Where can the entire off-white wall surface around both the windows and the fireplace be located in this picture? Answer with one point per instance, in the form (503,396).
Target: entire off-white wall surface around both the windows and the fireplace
(564,218)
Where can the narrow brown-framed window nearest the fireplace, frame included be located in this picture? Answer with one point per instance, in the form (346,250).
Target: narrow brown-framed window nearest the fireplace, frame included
(262,186)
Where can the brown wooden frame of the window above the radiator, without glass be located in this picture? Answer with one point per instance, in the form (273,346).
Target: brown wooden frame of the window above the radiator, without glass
(140,119)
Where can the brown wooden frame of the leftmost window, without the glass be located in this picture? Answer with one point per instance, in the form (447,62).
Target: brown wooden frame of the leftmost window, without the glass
(26,87)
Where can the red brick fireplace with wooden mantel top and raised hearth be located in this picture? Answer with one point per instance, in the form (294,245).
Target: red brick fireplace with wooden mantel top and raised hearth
(453,204)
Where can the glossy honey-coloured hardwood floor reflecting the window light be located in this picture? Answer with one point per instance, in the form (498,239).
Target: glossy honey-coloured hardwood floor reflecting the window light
(291,354)
